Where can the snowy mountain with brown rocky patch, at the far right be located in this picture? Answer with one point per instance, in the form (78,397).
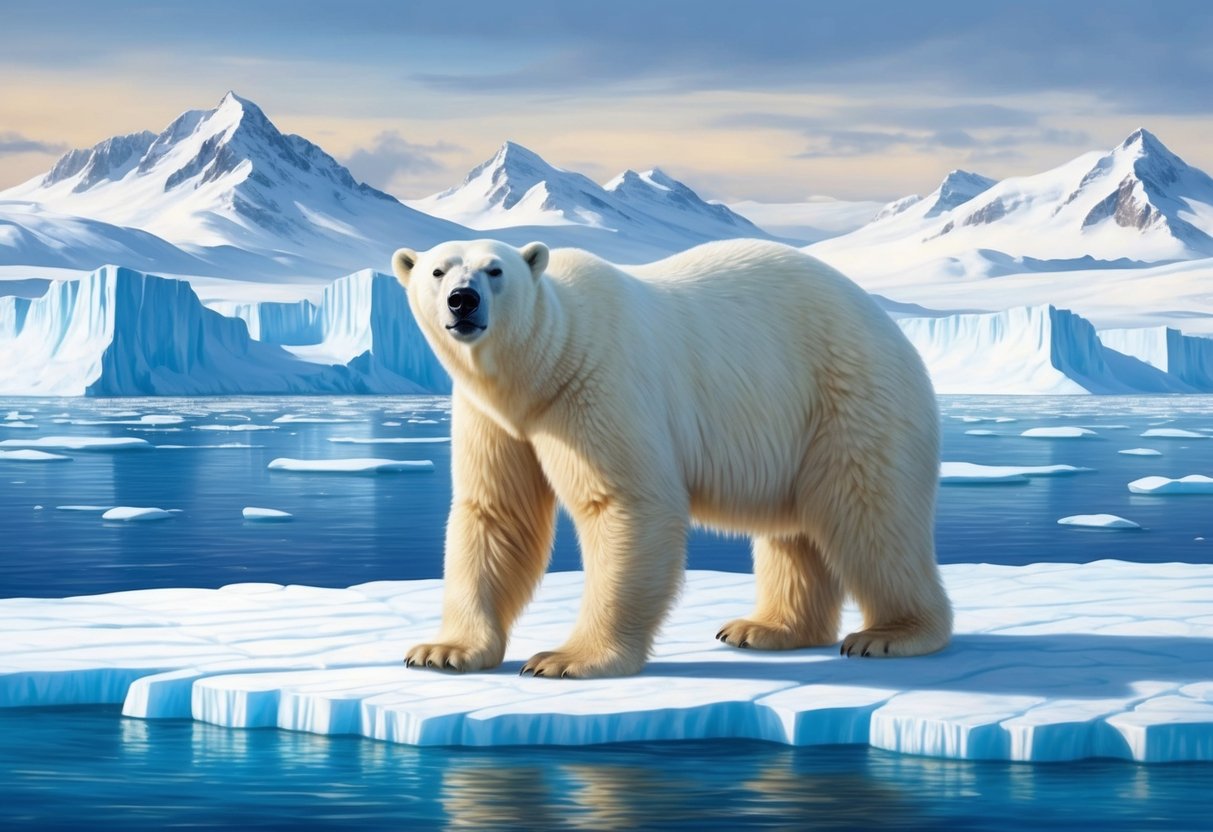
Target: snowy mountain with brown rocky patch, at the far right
(1137,203)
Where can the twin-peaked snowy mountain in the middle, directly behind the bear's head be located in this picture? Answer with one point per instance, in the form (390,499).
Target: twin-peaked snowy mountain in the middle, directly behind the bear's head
(519,189)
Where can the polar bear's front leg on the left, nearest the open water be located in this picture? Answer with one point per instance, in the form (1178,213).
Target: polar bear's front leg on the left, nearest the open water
(499,540)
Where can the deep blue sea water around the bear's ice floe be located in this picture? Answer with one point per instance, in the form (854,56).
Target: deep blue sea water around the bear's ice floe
(89,768)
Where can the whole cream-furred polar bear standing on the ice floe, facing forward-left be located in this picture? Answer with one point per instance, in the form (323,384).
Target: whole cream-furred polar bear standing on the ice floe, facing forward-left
(742,385)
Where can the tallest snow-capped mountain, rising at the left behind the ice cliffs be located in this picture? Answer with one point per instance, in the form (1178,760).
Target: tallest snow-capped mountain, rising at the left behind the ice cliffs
(230,178)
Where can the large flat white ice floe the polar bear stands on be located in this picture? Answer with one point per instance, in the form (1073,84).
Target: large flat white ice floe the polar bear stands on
(1050,663)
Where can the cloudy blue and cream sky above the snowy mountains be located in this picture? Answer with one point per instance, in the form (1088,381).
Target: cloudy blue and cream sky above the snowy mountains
(772,101)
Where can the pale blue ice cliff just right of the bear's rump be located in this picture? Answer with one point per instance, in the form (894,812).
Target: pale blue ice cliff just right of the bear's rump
(1030,351)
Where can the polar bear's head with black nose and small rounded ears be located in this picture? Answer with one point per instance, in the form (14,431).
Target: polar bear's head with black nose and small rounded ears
(464,292)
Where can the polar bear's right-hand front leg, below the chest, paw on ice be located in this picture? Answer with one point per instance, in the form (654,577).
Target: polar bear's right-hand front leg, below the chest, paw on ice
(634,555)
